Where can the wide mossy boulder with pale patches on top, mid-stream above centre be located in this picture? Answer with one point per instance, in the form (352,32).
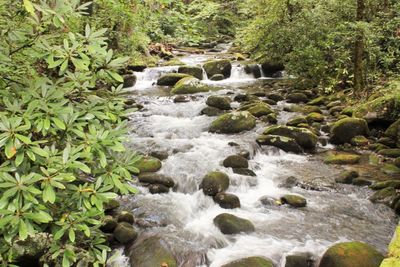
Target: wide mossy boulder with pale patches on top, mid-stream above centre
(234,122)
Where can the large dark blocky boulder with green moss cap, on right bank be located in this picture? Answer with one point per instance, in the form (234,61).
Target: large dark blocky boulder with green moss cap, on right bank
(345,129)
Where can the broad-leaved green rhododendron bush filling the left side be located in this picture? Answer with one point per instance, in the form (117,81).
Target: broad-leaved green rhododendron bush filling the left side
(61,131)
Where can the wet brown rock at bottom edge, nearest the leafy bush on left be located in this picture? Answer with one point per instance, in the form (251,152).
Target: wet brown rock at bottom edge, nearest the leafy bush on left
(151,252)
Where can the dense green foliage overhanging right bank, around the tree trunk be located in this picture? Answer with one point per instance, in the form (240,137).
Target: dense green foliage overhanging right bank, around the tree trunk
(315,39)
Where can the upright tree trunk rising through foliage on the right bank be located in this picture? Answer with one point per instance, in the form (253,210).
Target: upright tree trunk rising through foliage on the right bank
(359,81)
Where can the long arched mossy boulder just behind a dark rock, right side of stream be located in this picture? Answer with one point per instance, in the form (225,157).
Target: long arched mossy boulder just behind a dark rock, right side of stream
(304,137)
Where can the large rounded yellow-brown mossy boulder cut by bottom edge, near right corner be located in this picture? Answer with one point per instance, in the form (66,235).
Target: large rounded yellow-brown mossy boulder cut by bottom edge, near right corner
(351,254)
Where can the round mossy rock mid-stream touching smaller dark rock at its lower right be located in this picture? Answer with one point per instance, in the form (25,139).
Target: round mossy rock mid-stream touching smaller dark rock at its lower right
(214,183)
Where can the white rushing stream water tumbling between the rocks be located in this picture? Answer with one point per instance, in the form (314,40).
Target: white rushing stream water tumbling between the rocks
(184,217)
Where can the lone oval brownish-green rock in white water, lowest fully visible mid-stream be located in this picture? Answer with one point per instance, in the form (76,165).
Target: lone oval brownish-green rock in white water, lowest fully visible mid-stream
(230,224)
